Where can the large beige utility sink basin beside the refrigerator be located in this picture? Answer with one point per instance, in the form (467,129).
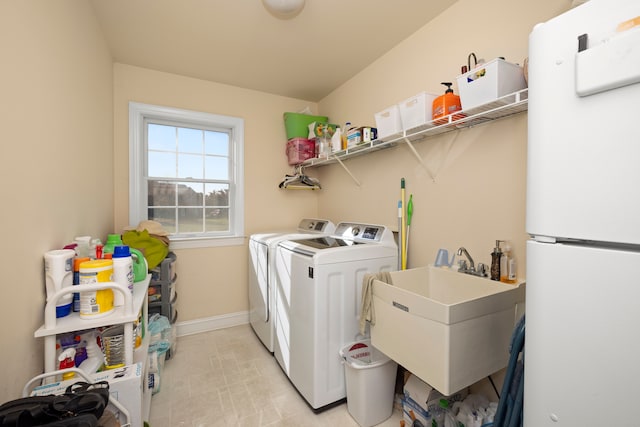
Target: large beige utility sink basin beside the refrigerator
(448,328)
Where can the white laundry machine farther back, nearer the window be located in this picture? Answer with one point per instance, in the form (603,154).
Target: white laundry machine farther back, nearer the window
(262,273)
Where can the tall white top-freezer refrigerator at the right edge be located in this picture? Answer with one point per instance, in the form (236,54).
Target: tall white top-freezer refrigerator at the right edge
(582,351)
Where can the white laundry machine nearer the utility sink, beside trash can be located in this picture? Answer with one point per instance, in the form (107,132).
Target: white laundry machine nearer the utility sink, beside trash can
(318,297)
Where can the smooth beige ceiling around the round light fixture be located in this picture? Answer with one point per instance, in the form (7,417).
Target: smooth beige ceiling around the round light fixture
(237,42)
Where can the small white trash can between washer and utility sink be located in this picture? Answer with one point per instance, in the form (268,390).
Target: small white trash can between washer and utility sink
(370,378)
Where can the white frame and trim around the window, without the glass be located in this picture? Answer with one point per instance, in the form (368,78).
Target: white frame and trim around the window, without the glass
(138,113)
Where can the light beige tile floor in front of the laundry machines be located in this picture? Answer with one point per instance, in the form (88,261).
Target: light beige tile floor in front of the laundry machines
(228,378)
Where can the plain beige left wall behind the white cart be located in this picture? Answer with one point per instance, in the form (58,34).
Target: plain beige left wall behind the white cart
(56,163)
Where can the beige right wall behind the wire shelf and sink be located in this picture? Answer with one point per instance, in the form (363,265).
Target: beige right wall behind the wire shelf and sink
(477,193)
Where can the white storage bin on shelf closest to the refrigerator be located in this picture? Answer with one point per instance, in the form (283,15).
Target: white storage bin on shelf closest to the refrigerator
(488,82)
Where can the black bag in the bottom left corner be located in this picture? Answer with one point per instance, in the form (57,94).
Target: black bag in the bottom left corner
(81,405)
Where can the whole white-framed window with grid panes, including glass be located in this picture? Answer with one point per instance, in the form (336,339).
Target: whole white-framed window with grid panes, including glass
(186,172)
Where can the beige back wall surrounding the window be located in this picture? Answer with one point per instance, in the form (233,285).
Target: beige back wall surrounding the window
(213,281)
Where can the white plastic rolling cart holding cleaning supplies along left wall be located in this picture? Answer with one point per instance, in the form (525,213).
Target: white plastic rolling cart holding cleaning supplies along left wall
(126,315)
